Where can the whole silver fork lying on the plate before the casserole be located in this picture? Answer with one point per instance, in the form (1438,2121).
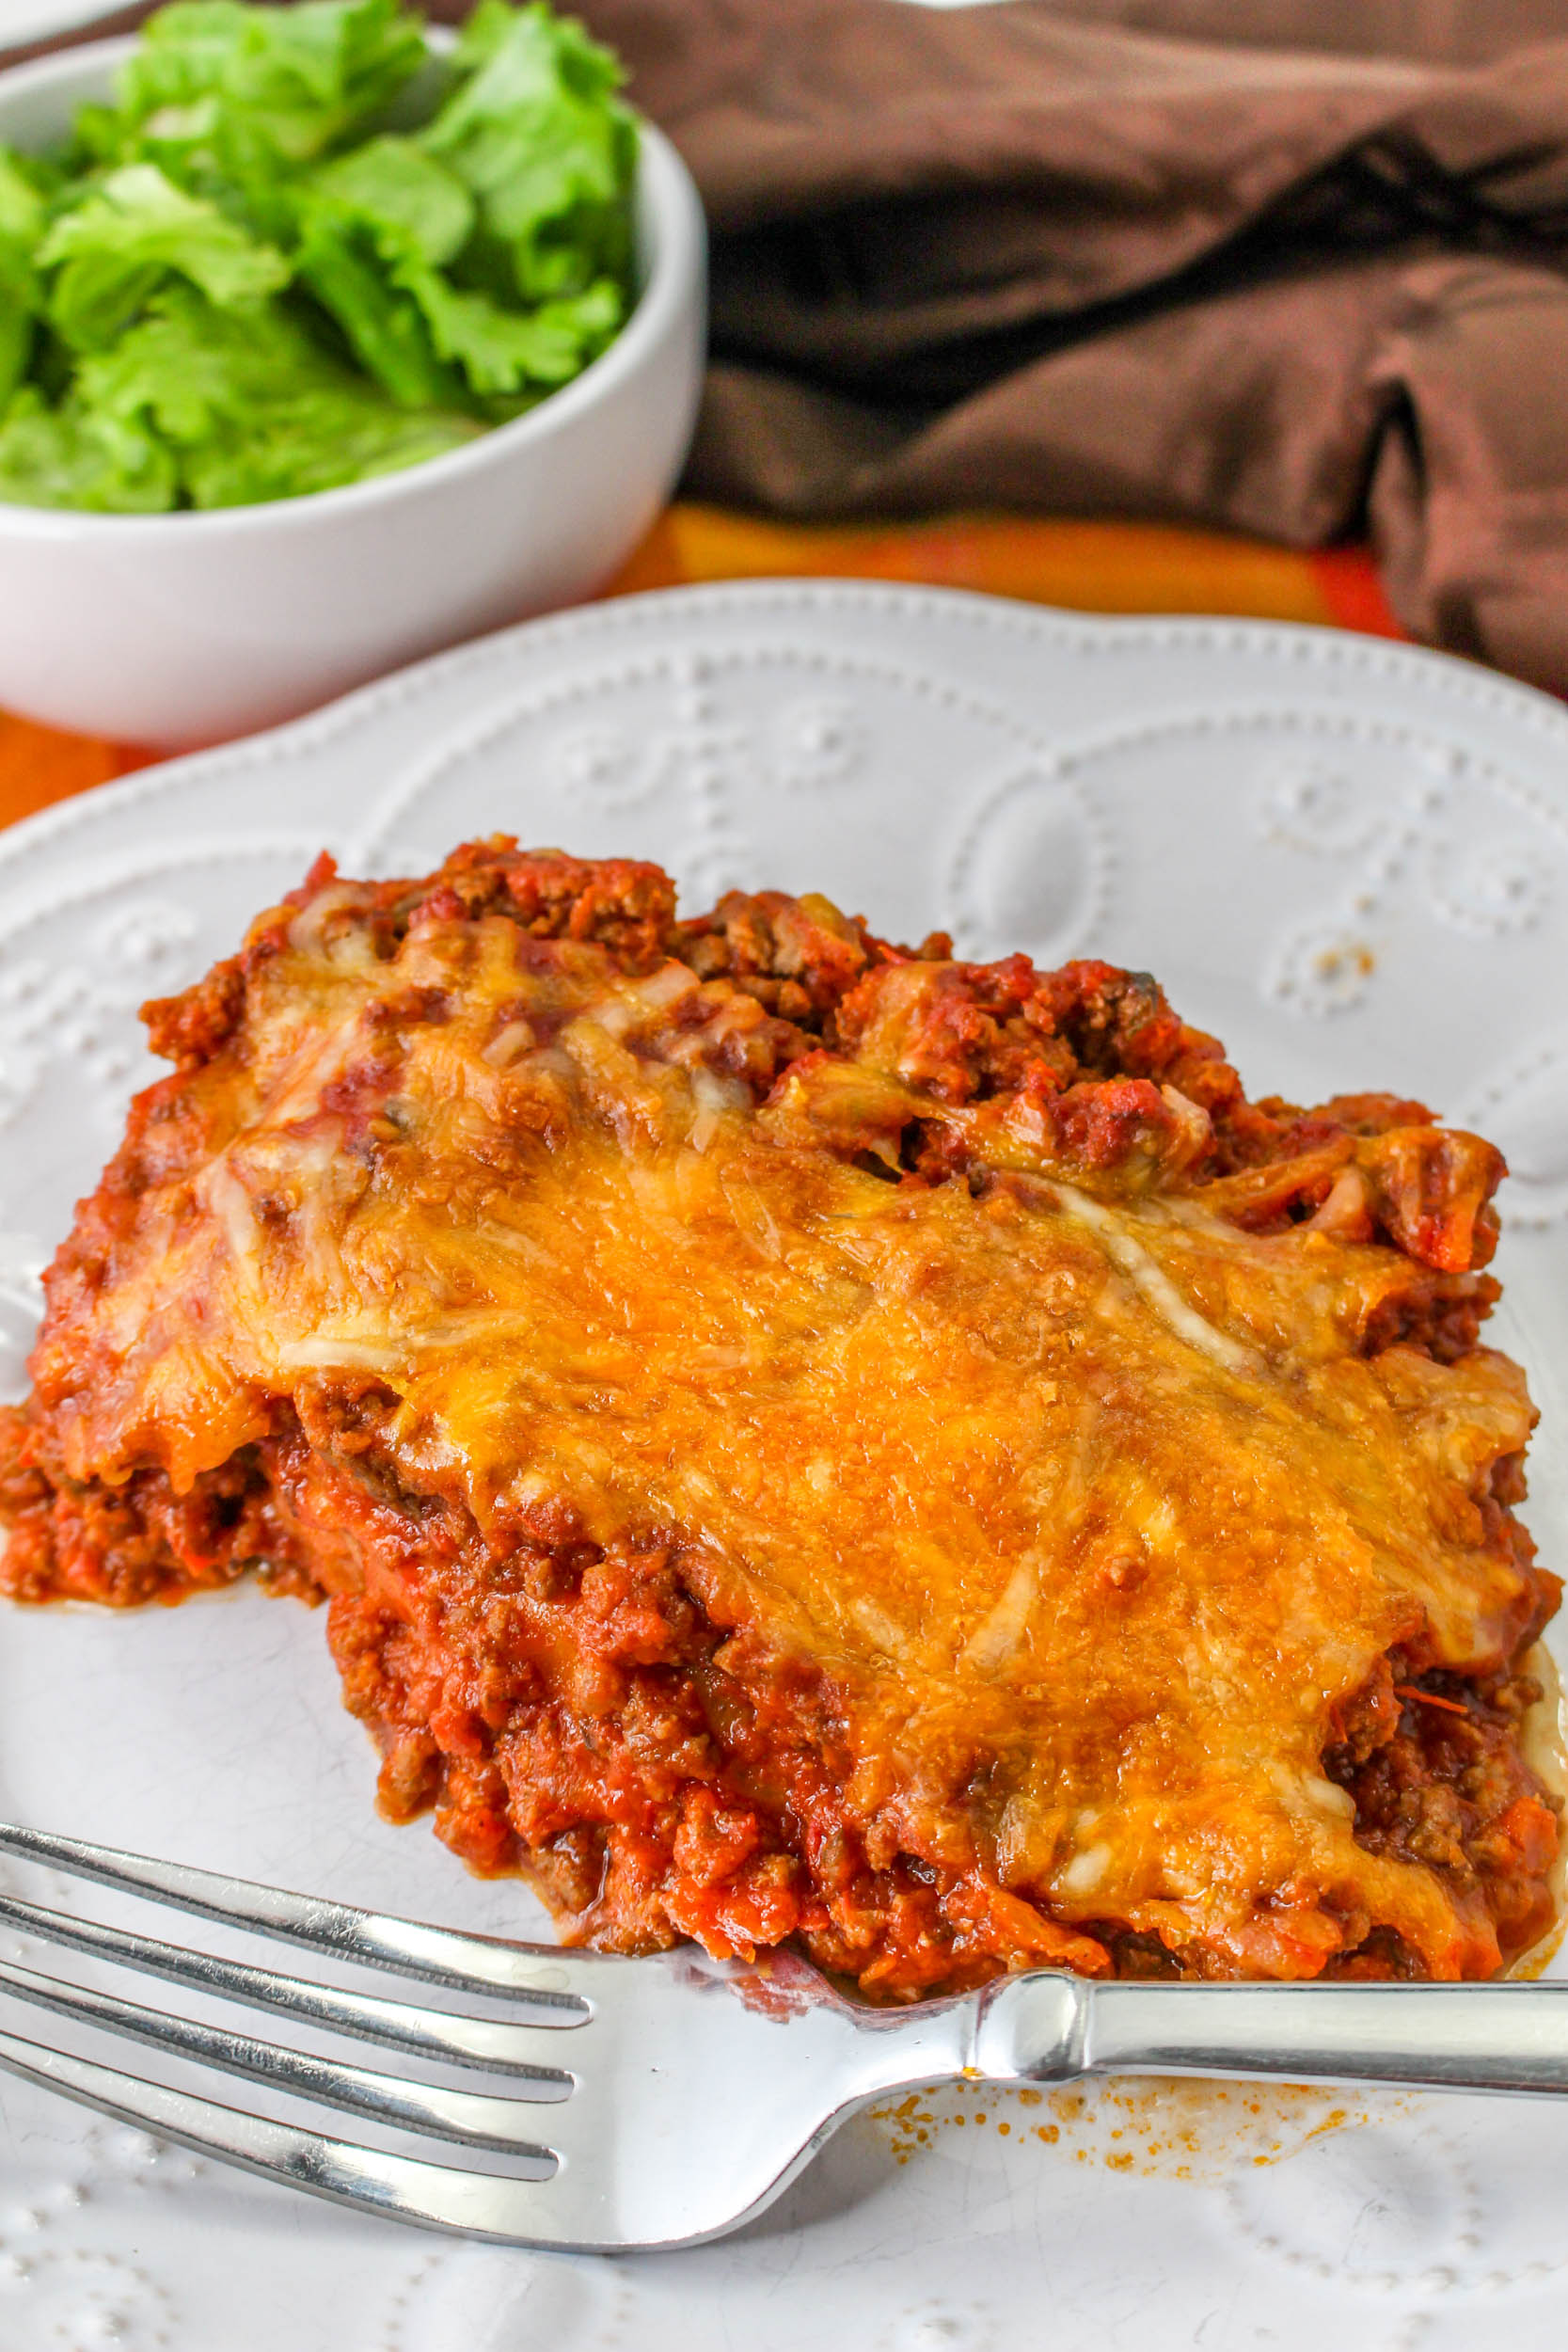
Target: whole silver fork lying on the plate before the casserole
(664,2102)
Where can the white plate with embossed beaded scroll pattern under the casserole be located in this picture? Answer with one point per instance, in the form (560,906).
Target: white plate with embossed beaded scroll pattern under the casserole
(1346,857)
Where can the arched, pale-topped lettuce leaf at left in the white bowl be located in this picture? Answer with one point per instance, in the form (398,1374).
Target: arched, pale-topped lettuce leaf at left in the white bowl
(128,239)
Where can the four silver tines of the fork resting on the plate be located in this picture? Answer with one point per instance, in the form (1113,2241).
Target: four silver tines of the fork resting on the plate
(532,2123)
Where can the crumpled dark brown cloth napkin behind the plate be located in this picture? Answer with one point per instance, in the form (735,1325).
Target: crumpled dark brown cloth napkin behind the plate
(1085,258)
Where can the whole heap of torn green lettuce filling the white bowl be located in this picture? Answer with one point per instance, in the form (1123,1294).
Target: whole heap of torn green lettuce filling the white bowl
(255,274)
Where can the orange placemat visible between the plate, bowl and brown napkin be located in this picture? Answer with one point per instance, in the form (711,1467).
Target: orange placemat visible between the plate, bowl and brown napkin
(1087,566)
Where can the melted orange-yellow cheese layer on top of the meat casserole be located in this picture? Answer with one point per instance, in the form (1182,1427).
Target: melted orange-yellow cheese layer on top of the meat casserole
(1087,1506)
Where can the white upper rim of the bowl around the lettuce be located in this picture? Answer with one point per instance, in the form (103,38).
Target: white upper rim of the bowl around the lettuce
(678,236)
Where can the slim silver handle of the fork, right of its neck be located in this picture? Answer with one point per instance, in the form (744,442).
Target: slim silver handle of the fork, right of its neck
(1442,2038)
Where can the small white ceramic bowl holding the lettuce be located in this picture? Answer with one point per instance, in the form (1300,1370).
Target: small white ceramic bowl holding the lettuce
(185,629)
